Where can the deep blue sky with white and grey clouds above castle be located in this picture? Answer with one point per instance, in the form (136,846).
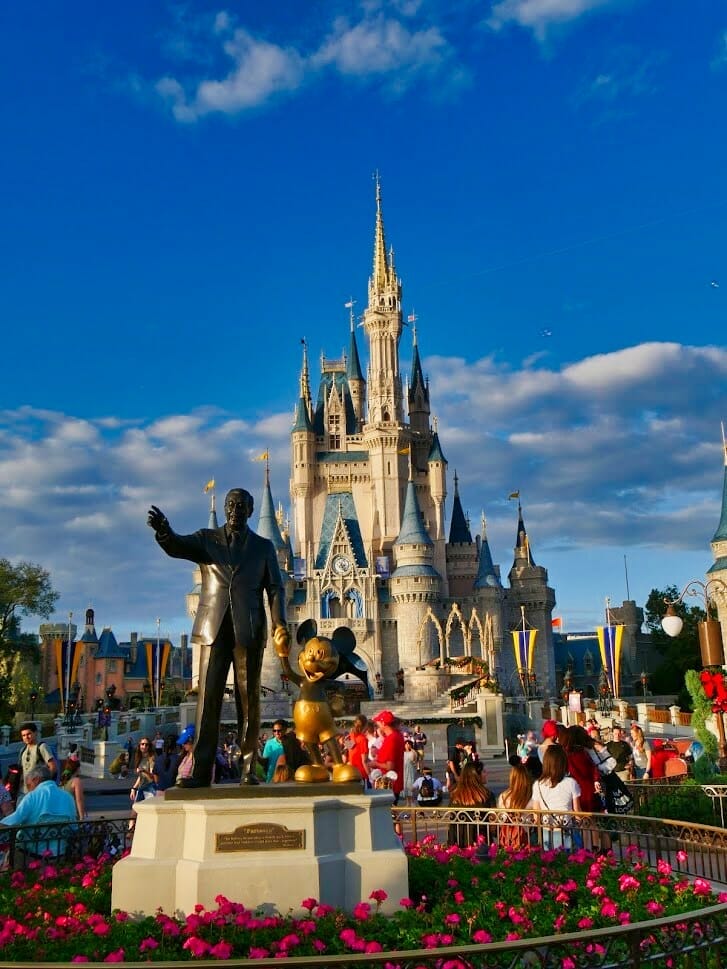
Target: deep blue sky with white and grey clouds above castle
(186,191)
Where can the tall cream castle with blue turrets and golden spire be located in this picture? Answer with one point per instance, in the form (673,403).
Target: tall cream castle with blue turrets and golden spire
(371,550)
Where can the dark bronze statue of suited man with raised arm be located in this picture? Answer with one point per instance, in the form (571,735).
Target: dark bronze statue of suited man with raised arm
(230,627)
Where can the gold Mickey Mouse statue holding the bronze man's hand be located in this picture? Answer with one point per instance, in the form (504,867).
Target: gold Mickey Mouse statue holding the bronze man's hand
(312,714)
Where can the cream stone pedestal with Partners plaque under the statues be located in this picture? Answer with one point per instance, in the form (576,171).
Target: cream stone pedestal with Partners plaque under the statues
(265,848)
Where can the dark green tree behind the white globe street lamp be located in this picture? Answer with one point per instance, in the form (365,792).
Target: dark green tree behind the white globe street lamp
(679,653)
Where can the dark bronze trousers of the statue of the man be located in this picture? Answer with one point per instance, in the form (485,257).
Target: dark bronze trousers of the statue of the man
(214,665)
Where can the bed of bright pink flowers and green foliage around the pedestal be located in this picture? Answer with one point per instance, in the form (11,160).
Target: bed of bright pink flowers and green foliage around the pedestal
(53,914)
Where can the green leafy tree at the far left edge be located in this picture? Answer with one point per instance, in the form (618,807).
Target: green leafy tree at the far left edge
(25,590)
